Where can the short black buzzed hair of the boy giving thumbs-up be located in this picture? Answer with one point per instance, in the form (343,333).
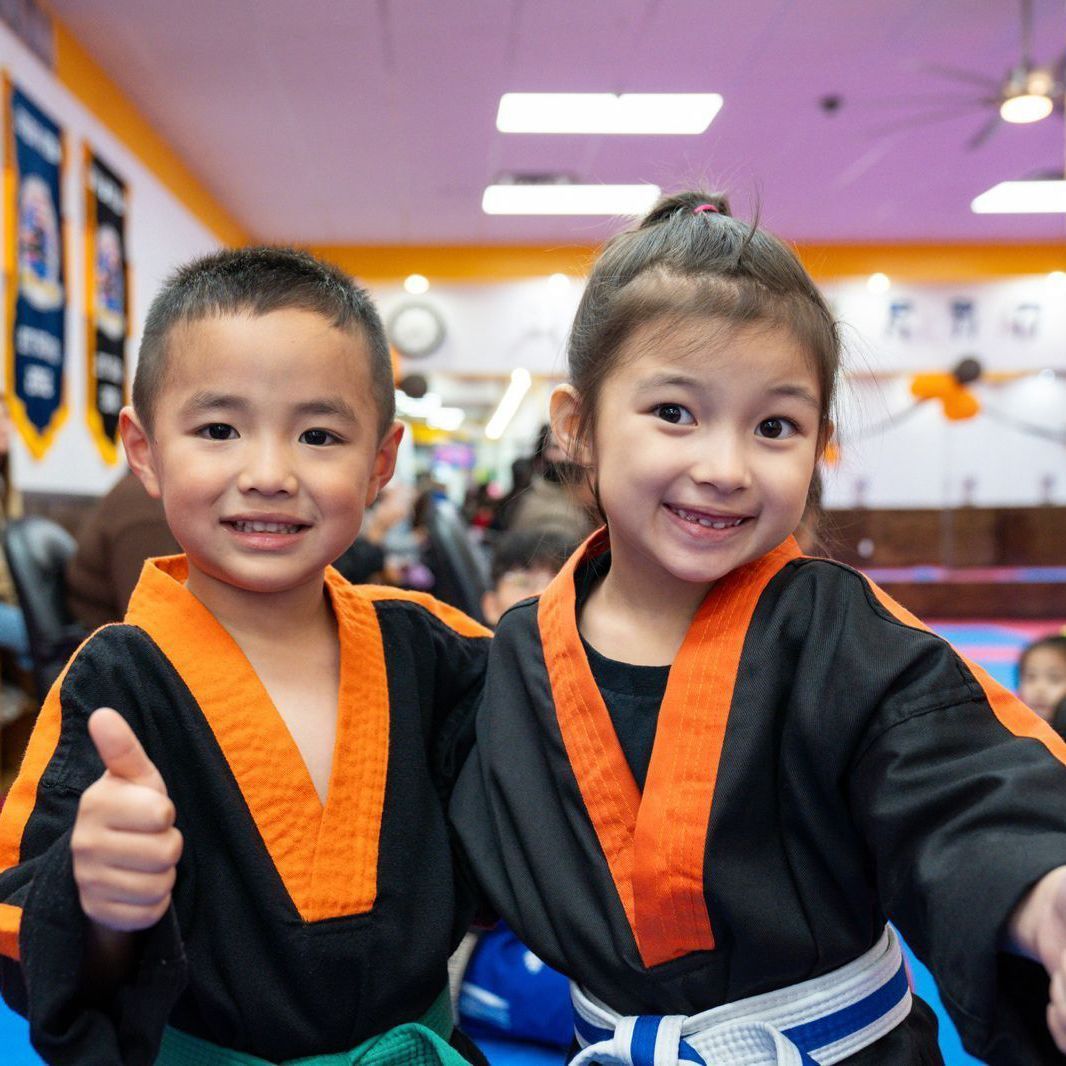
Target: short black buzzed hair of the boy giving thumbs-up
(259,281)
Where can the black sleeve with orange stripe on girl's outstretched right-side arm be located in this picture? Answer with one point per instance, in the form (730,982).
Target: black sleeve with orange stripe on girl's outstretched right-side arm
(962,817)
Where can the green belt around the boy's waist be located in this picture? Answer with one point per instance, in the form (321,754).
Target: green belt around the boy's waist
(423,1043)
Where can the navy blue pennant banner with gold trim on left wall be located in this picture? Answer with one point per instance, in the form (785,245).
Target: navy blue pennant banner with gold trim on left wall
(36,271)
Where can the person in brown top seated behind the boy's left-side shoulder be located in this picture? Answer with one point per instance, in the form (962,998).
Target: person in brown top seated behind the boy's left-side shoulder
(125,528)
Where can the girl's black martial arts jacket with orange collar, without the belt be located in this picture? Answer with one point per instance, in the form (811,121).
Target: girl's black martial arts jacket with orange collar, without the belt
(821,763)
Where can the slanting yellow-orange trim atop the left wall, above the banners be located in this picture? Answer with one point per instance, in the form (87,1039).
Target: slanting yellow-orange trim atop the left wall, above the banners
(86,79)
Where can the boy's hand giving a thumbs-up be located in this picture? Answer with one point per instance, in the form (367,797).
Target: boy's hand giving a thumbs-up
(125,845)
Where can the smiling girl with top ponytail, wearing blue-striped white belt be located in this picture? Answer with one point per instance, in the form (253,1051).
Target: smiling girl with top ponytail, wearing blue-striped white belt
(708,769)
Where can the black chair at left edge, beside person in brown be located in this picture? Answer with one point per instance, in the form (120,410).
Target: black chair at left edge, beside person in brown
(38,551)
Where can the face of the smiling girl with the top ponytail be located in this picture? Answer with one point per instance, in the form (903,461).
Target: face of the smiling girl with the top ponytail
(705,446)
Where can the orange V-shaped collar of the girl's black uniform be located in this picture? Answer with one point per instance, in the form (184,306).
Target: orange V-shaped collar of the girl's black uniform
(655,844)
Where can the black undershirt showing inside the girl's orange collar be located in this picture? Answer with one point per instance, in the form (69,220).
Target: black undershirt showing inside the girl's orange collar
(633,694)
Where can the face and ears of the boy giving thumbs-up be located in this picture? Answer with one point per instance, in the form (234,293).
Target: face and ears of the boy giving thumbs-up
(265,449)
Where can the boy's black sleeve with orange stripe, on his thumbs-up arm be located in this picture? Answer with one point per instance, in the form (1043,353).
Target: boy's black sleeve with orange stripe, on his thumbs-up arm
(39,892)
